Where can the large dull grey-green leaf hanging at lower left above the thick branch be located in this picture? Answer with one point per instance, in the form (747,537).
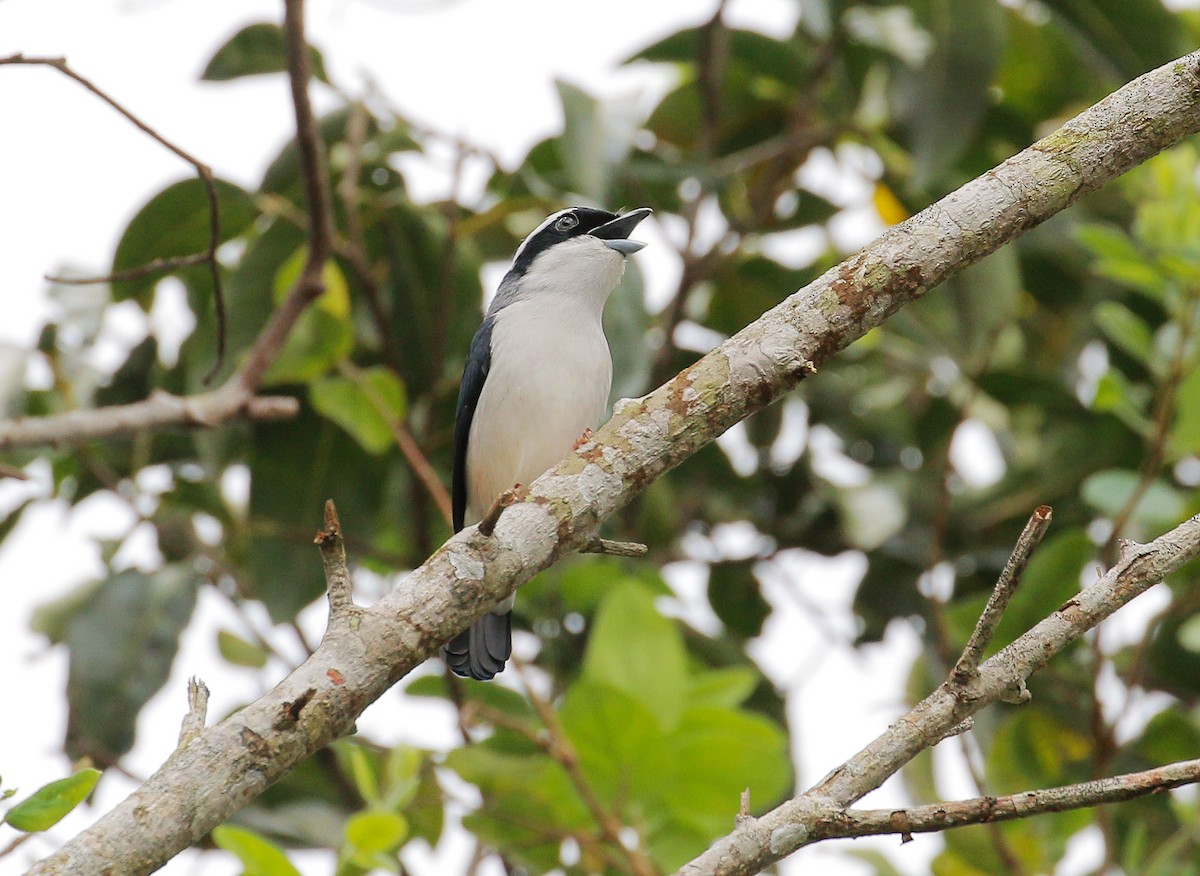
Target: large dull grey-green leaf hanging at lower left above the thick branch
(123,641)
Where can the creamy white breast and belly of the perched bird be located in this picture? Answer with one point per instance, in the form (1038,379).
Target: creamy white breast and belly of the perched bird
(549,381)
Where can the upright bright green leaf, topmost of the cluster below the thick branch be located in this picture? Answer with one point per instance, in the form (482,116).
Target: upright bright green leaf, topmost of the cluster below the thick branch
(638,651)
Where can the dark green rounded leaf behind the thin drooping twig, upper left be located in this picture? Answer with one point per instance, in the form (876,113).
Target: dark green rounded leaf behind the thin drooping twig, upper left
(177,223)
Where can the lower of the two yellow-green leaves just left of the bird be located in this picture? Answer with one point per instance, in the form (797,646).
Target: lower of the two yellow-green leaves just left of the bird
(369,405)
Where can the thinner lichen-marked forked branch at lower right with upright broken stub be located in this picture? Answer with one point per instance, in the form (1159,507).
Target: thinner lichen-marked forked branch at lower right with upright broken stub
(823,813)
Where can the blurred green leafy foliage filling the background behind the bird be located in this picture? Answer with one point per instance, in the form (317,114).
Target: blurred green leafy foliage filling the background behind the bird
(1076,353)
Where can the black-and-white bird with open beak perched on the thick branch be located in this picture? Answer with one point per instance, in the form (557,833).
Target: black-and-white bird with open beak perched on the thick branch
(537,381)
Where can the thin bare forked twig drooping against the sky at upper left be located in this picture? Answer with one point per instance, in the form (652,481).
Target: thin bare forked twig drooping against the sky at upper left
(203,171)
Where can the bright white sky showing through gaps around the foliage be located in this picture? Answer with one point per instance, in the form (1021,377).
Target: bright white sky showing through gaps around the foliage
(71,176)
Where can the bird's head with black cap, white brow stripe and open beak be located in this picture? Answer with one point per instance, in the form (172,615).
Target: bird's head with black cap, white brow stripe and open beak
(579,253)
